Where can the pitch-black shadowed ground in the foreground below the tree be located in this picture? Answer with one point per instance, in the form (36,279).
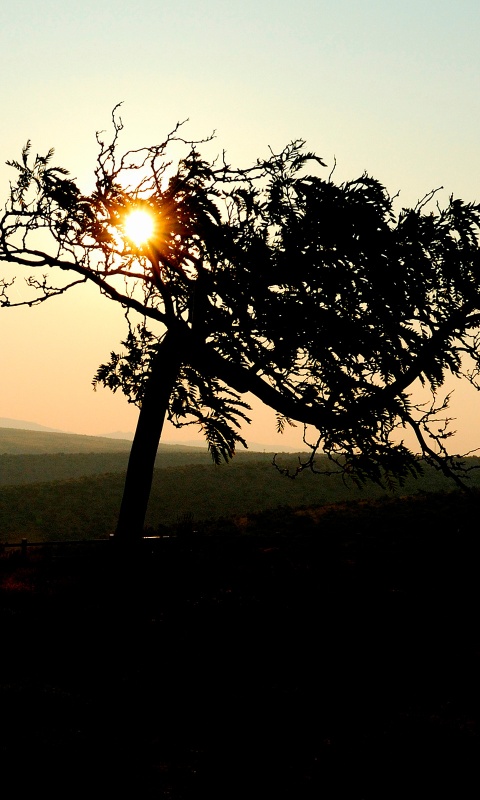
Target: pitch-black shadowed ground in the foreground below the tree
(311,656)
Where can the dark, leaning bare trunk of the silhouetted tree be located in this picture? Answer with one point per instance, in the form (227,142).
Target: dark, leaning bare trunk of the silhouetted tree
(138,481)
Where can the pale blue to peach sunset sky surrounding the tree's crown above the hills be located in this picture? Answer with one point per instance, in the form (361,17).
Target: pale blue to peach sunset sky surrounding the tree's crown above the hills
(387,88)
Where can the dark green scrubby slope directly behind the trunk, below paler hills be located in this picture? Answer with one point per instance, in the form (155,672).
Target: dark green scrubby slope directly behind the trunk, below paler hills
(87,507)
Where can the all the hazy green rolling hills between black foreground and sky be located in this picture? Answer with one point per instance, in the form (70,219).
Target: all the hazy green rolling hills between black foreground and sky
(56,493)
